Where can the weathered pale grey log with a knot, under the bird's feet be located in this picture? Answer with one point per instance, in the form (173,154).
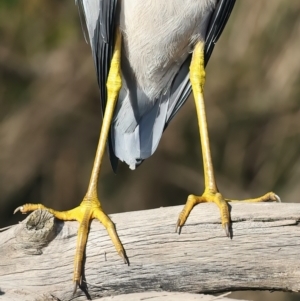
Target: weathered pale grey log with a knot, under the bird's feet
(36,256)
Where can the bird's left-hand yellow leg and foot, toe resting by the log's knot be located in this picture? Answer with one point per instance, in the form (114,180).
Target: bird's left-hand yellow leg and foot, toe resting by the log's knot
(90,207)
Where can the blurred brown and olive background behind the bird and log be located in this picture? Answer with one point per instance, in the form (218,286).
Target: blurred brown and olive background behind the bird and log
(50,115)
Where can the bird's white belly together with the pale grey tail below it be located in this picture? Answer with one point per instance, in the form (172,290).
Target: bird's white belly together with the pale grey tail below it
(158,36)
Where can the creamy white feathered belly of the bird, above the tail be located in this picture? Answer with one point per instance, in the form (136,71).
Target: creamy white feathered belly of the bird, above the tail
(158,36)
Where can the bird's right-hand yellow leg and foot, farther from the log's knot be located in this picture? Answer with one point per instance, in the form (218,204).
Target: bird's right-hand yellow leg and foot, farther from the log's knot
(211,193)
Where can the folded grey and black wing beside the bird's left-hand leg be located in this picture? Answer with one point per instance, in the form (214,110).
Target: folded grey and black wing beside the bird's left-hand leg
(99,18)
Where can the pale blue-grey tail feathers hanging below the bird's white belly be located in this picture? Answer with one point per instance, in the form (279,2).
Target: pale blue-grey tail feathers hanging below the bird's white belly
(137,127)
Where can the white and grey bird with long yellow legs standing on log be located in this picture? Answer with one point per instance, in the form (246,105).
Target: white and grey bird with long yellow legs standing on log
(149,56)
